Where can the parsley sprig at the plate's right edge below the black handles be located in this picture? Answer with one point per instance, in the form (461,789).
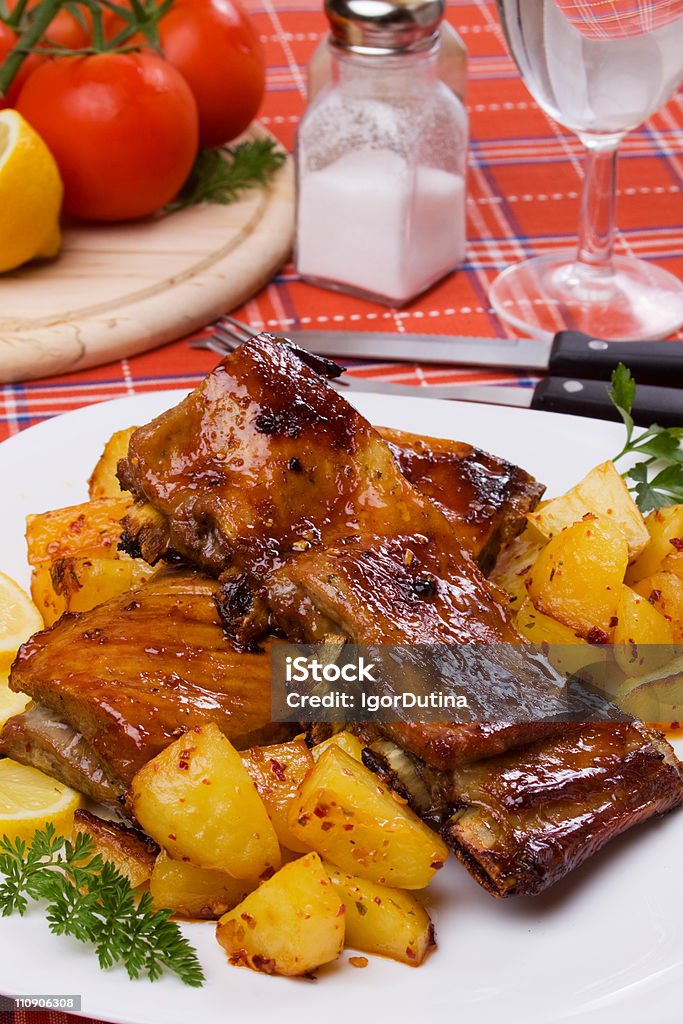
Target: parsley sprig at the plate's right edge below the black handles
(657,479)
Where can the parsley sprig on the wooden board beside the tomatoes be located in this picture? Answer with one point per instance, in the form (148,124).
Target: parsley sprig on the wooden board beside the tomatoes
(222,176)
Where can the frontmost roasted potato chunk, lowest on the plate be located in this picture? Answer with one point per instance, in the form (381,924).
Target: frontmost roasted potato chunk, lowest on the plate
(291,925)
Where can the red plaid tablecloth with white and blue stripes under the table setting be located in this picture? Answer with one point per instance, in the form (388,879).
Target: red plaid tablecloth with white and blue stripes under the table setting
(524,199)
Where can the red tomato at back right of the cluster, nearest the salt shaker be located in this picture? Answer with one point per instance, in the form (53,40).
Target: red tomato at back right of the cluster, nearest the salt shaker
(215,46)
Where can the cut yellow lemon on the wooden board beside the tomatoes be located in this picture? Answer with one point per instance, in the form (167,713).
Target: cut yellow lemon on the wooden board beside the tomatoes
(31,194)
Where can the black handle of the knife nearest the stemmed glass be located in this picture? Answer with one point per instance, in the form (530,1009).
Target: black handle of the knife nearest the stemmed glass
(579,355)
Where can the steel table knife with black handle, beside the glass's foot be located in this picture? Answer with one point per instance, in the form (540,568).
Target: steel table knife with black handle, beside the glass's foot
(570,354)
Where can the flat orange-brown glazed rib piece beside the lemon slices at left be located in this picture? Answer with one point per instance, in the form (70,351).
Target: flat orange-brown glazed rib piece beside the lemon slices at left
(135,673)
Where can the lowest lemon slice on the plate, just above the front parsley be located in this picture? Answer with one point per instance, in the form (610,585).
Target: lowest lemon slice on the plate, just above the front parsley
(29,800)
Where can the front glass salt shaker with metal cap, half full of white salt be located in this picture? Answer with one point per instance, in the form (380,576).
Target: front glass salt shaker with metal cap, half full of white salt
(381,157)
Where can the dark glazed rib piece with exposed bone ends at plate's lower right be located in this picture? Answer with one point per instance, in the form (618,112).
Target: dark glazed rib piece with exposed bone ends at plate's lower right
(522,821)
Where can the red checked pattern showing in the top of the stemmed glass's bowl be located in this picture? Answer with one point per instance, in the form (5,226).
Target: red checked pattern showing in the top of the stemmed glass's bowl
(620,19)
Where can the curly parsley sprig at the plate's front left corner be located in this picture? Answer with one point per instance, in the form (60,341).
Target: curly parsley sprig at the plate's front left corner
(91,901)
